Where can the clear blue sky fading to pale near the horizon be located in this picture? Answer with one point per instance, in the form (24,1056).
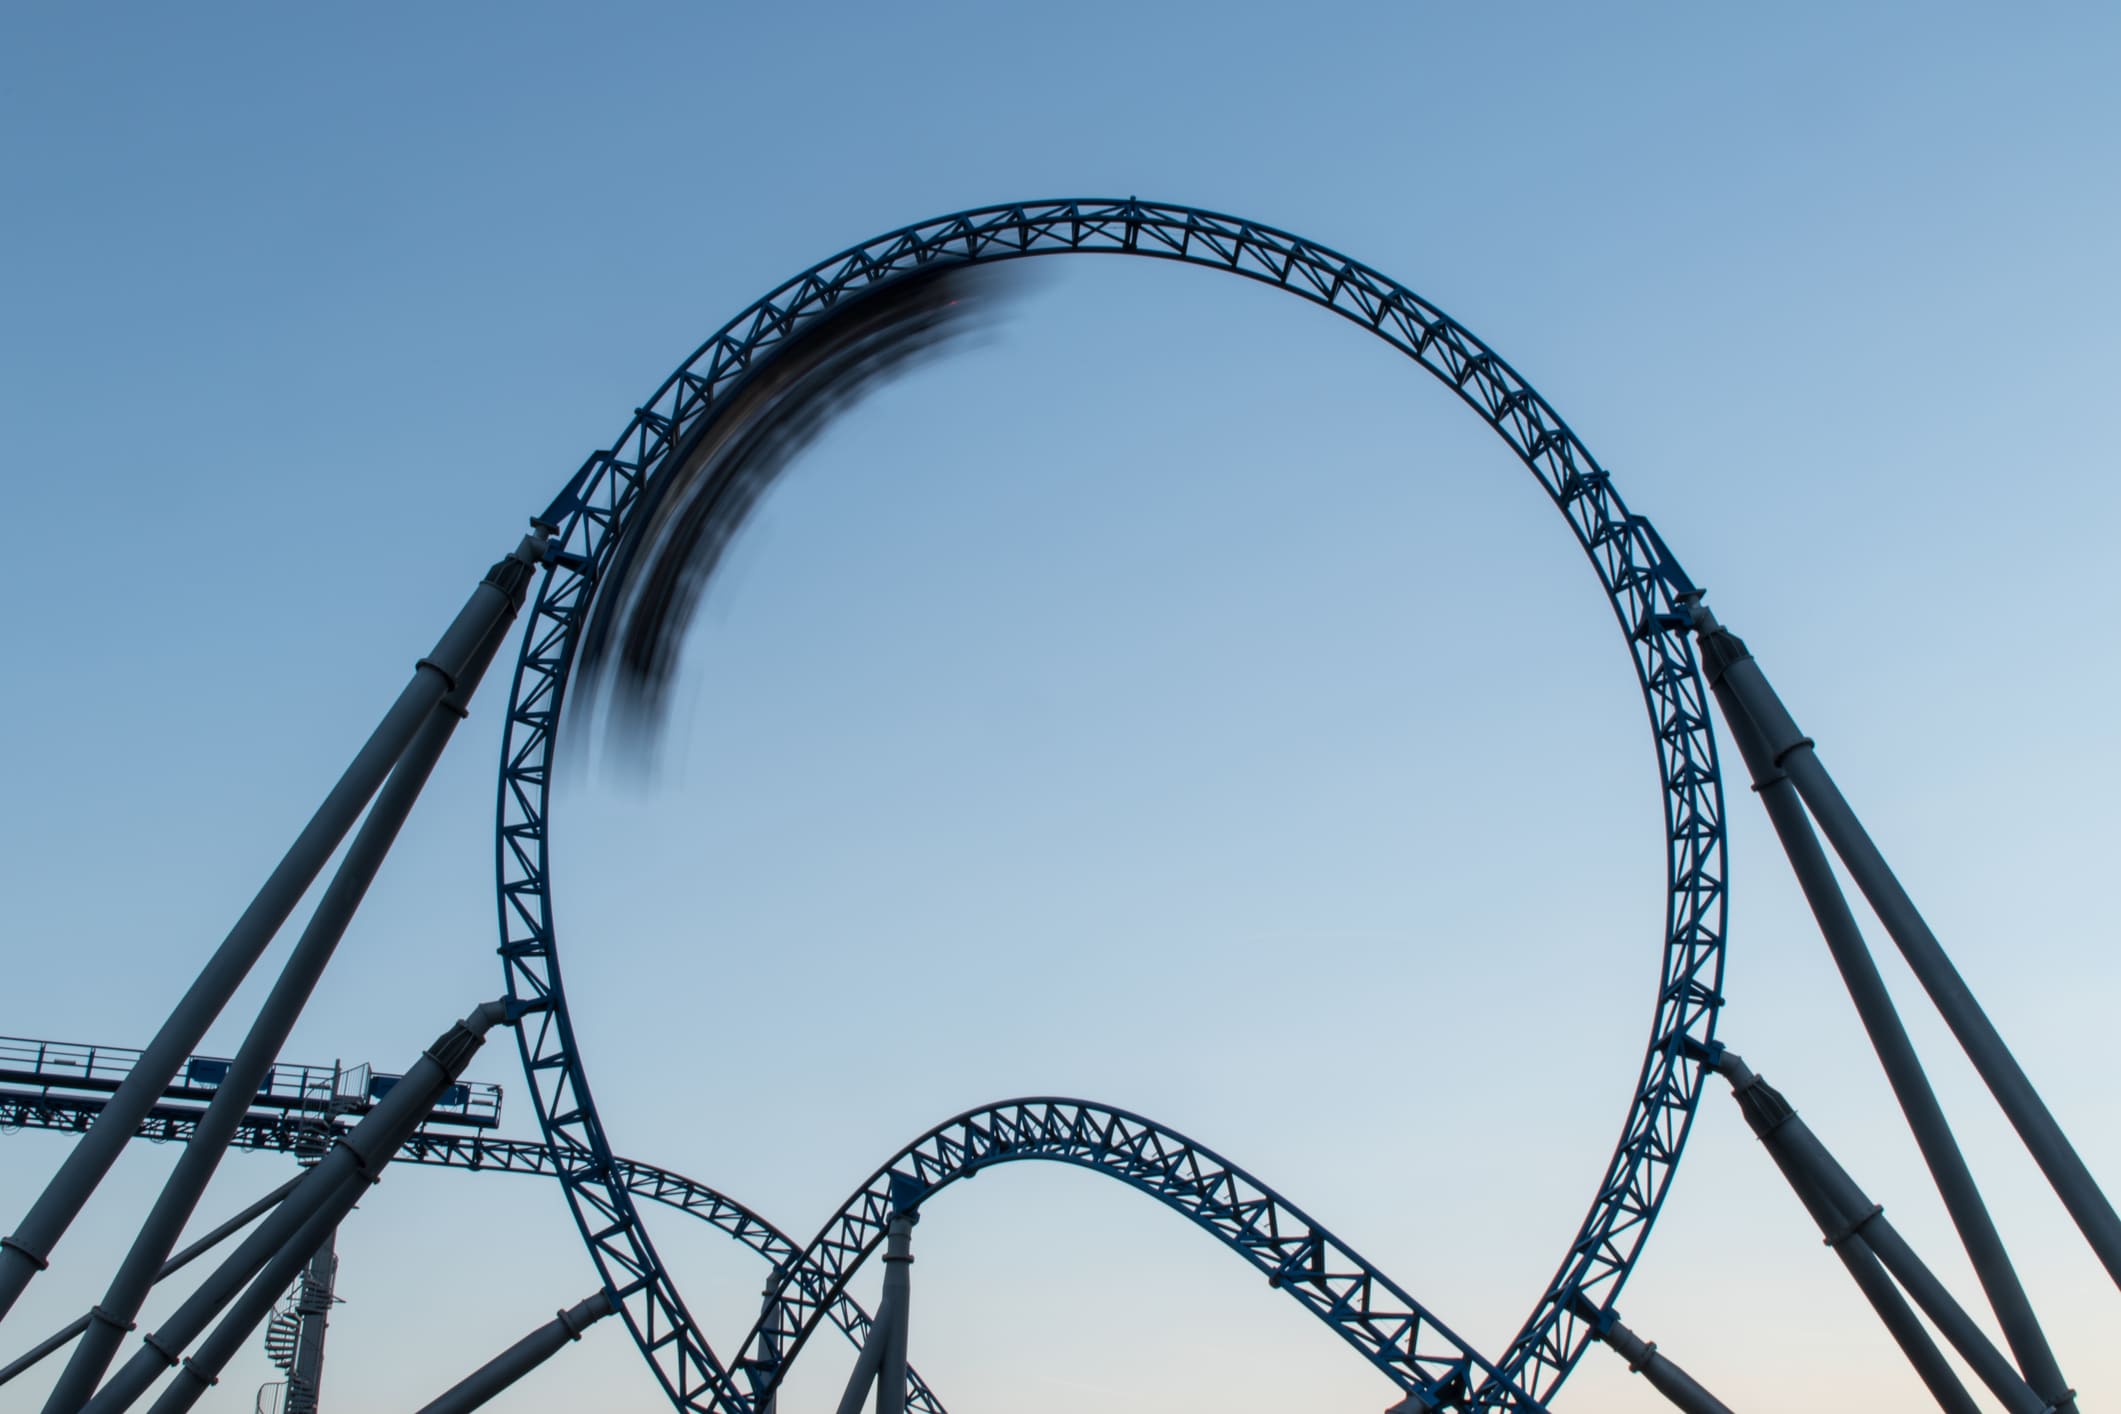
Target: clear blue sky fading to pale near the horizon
(1178,703)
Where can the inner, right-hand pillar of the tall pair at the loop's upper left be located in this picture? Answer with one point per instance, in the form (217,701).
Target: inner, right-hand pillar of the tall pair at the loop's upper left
(268,1033)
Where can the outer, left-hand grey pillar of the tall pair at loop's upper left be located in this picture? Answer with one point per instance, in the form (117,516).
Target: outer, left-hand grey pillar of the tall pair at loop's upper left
(29,1250)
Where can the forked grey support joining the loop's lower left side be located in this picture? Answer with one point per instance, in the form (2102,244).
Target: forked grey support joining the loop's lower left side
(266,1262)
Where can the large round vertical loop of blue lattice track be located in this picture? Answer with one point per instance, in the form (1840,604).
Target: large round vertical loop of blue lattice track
(1632,565)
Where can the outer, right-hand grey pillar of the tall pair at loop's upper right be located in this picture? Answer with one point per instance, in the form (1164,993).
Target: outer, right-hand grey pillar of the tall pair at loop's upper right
(1793,752)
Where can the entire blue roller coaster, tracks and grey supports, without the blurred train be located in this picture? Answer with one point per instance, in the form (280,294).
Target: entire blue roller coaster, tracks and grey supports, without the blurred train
(347,1133)
